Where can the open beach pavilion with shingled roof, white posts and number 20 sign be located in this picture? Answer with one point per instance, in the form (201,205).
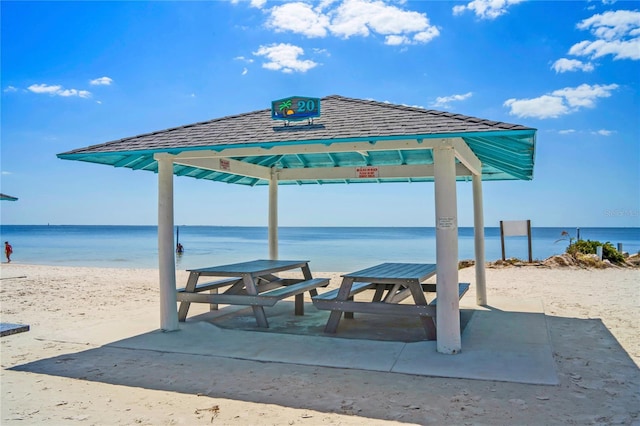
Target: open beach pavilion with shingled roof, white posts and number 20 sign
(332,140)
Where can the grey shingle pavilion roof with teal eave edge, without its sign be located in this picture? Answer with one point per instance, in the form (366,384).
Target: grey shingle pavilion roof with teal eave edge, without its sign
(342,120)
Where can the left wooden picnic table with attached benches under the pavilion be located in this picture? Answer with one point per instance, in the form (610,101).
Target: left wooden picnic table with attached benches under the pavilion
(252,283)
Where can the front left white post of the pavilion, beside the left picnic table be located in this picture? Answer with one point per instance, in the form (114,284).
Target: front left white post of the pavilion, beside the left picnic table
(166,249)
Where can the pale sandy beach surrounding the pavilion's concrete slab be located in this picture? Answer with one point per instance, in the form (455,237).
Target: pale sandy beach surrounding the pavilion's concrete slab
(592,315)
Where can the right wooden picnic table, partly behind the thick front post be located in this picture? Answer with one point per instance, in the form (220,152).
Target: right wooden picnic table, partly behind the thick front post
(392,282)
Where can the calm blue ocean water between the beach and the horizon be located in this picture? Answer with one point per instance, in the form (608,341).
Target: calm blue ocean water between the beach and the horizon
(328,248)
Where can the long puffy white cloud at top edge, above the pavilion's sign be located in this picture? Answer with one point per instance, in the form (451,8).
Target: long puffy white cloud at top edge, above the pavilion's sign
(353,18)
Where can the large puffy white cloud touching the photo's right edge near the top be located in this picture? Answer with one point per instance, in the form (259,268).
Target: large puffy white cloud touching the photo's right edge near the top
(616,33)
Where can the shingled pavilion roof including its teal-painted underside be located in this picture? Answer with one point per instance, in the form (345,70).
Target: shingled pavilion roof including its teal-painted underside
(505,150)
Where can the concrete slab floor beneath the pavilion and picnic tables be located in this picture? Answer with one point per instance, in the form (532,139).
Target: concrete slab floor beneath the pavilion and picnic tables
(508,341)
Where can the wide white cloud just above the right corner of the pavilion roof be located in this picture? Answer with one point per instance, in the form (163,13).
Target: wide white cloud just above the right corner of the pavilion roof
(559,102)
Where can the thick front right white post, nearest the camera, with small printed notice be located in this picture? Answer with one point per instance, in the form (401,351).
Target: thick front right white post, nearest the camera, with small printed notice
(448,309)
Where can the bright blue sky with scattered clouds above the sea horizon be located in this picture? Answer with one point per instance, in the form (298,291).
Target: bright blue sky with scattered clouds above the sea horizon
(81,73)
